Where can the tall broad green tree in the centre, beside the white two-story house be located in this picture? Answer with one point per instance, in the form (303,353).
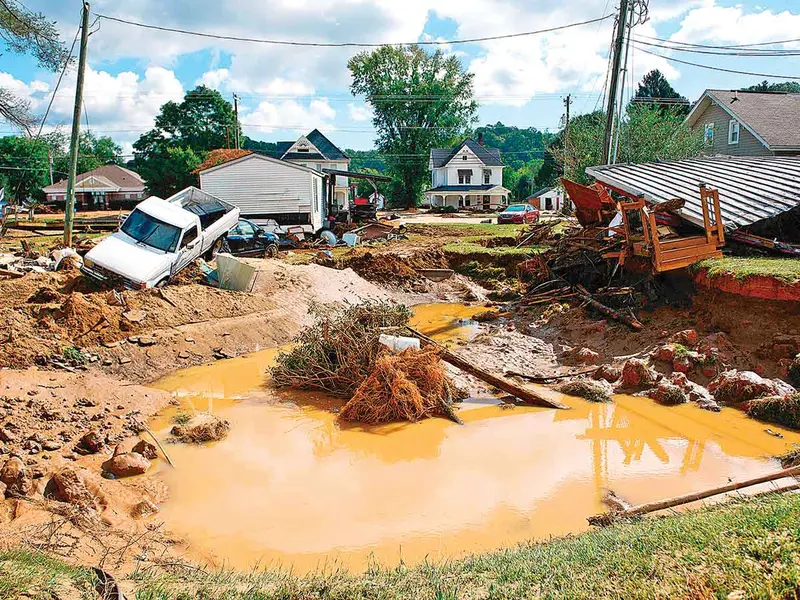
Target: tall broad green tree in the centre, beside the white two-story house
(420,100)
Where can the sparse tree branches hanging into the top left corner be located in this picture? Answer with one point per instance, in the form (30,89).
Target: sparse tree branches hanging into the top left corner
(26,32)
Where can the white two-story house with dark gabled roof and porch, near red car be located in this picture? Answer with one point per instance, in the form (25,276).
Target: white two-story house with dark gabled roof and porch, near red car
(467,176)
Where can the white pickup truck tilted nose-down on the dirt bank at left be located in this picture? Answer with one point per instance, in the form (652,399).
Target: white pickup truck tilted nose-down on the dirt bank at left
(161,237)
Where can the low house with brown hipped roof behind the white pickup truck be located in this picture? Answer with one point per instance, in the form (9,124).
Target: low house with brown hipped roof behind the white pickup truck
(109,186)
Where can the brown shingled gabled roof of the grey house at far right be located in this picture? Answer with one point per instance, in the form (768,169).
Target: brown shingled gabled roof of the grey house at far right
(773,118)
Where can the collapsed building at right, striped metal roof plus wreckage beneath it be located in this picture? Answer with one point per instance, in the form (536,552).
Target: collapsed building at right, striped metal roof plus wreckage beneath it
(758,197)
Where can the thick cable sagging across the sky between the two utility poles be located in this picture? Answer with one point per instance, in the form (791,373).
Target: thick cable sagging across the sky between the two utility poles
(351,44)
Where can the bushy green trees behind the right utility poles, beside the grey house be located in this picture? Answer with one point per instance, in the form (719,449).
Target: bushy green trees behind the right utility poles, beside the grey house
(647,134)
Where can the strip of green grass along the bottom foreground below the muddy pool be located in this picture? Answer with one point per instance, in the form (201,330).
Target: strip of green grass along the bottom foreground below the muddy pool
(747,545)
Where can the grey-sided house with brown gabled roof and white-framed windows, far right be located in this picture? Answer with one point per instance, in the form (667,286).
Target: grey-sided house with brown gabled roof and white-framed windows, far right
(748,123)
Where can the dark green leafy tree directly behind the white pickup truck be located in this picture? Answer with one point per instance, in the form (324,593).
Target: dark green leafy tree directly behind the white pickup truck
(166,155)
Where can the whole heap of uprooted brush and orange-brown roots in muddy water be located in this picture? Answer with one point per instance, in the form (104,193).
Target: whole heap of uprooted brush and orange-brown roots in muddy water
(341,354)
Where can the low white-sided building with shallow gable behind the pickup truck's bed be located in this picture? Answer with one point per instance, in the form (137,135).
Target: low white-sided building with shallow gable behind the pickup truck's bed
(268,188)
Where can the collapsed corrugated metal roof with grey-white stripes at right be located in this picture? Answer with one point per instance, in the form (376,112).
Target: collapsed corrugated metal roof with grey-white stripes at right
(751,189)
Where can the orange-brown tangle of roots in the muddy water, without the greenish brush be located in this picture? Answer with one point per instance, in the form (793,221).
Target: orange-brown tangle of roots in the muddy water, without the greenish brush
(408,386)
